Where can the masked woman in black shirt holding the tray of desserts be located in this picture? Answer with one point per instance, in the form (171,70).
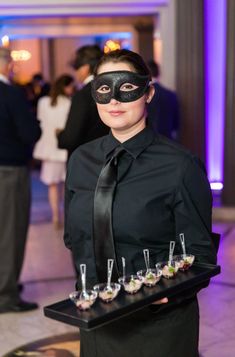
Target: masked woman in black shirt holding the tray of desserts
(161,191)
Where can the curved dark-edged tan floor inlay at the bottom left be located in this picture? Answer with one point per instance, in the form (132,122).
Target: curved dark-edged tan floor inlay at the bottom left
(66,345)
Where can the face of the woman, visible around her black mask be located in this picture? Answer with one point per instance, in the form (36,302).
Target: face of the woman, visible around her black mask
(124,118)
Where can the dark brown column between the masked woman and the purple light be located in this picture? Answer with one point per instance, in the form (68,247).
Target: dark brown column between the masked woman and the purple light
(190,74)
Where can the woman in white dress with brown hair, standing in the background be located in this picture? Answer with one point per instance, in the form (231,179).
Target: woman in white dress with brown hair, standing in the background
(52,111)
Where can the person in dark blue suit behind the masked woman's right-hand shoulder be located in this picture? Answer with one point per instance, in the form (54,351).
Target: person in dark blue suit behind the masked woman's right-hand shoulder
(163,110)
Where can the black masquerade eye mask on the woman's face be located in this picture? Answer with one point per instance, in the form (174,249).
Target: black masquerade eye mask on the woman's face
(110,85)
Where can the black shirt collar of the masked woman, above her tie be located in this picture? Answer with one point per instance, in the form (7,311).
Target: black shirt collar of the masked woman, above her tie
(134,146)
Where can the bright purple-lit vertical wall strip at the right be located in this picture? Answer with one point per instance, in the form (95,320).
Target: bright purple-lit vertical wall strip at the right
(215,62)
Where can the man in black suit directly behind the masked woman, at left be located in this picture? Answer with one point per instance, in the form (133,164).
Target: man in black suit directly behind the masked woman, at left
(83,122)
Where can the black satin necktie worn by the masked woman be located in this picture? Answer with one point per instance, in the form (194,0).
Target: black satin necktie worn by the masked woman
(104,247)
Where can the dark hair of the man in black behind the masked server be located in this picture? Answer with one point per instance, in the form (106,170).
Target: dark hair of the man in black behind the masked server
(89,54)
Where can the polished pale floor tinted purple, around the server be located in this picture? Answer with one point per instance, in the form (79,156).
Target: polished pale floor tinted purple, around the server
(48,277)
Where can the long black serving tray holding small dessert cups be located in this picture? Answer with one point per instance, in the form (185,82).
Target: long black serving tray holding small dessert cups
(102,313)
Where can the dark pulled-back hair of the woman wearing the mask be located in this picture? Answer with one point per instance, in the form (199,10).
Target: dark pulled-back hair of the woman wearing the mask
(127,56)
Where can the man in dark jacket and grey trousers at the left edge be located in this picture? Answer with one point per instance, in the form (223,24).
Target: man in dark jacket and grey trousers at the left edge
(19,130)
